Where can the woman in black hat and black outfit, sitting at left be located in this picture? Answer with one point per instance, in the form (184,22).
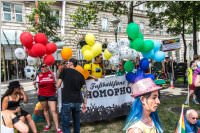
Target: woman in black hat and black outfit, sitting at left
(11,101)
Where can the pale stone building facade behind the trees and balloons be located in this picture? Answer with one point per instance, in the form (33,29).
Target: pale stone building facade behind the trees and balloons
(14,22)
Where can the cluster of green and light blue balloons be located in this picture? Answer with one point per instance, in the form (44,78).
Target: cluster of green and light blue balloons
(148,48)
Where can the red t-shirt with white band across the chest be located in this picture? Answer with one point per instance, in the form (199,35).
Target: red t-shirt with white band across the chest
(46,84)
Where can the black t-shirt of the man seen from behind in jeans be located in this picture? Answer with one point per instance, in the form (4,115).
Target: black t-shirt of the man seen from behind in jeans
(72,81)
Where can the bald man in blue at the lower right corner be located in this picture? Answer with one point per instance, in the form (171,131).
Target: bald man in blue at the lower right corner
(191,122)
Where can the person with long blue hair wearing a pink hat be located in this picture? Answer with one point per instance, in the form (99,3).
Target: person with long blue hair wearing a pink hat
(143,117)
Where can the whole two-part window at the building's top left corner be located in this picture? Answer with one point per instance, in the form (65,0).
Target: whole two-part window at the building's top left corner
(12,12)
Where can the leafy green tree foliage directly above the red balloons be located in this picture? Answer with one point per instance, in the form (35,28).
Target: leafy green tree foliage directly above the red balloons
(48,22)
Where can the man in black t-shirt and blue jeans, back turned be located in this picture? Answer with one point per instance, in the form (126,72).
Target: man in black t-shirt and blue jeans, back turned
(73,81)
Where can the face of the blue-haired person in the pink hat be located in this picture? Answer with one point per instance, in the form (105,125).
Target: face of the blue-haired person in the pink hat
(151,103)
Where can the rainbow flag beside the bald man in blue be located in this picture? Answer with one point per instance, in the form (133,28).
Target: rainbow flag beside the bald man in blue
(181,124)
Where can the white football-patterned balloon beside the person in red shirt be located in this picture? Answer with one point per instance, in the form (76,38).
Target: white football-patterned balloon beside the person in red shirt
(30,72)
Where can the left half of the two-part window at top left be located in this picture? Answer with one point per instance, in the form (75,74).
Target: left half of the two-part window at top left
(6,11)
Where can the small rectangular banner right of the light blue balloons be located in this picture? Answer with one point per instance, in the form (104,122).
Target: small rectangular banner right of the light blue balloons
(171,44)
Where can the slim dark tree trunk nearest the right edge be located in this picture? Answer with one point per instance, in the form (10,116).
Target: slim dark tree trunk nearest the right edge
(194,33)
